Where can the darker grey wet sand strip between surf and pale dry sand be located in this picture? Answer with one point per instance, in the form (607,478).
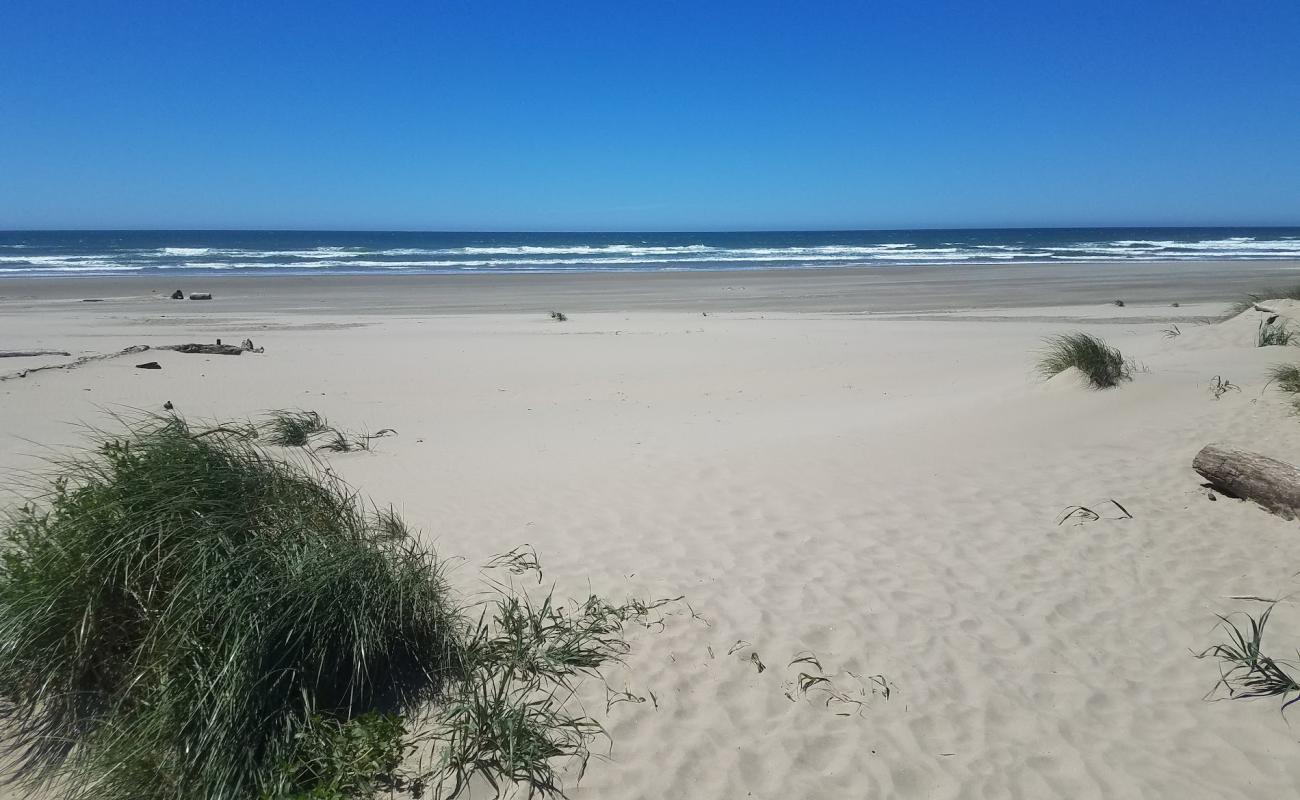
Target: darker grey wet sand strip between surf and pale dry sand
(835,289)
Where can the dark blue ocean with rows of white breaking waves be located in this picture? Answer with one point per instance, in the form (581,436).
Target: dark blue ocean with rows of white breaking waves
(45,254)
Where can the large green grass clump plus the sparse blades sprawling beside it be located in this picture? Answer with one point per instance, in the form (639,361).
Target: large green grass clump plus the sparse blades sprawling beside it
(187,616)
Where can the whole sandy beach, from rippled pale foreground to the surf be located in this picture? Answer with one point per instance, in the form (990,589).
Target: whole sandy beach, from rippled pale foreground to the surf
(855,464)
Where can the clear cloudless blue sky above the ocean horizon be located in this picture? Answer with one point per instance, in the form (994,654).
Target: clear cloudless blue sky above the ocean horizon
(648,116)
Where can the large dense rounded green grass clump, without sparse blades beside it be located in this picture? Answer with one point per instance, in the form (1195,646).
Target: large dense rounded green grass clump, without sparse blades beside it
(181,609)
